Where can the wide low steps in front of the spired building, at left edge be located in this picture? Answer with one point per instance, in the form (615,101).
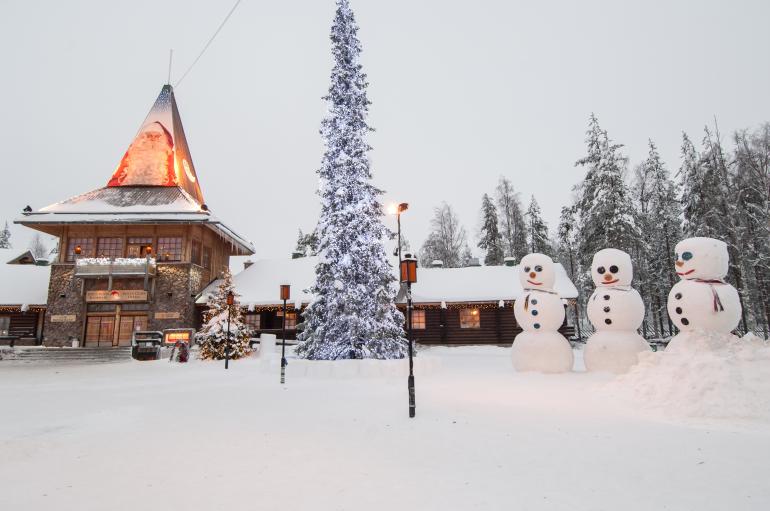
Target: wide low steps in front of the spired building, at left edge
(38,355)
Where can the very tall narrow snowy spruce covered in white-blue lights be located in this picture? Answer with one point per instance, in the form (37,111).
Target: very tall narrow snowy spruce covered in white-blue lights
(353,312)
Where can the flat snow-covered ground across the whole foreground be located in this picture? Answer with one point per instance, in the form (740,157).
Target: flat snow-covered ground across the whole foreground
(155,435)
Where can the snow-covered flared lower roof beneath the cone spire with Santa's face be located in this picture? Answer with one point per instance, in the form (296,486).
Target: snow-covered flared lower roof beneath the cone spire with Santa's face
(133,205)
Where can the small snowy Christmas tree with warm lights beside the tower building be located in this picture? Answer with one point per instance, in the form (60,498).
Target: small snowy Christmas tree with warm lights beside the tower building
(213,336)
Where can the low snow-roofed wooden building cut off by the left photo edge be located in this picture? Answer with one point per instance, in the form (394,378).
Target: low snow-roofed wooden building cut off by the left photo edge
(23,296)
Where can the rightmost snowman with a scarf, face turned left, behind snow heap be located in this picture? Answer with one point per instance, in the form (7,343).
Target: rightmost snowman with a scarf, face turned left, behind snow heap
(702,300)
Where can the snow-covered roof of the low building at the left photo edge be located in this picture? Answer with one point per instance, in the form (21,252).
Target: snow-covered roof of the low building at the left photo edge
(22,284)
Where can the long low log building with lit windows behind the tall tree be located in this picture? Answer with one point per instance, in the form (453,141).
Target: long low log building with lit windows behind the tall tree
(471,305)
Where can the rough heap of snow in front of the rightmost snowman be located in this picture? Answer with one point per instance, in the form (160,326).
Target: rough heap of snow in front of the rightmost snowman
(708,376)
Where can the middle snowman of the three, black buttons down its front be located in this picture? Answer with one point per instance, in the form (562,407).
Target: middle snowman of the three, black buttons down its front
(616,311)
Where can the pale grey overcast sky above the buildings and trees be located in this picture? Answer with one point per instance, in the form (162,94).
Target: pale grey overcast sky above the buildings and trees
(462,93)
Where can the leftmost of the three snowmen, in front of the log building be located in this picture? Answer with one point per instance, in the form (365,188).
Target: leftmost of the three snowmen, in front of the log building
(540,313)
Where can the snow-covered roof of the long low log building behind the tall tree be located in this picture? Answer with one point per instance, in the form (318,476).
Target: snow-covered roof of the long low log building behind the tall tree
(258,285)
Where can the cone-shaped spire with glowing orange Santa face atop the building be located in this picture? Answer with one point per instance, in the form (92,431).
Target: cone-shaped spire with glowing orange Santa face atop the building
(159,155)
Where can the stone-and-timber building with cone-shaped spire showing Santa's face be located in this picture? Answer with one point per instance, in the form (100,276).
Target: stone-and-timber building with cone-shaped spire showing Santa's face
(135,253)
